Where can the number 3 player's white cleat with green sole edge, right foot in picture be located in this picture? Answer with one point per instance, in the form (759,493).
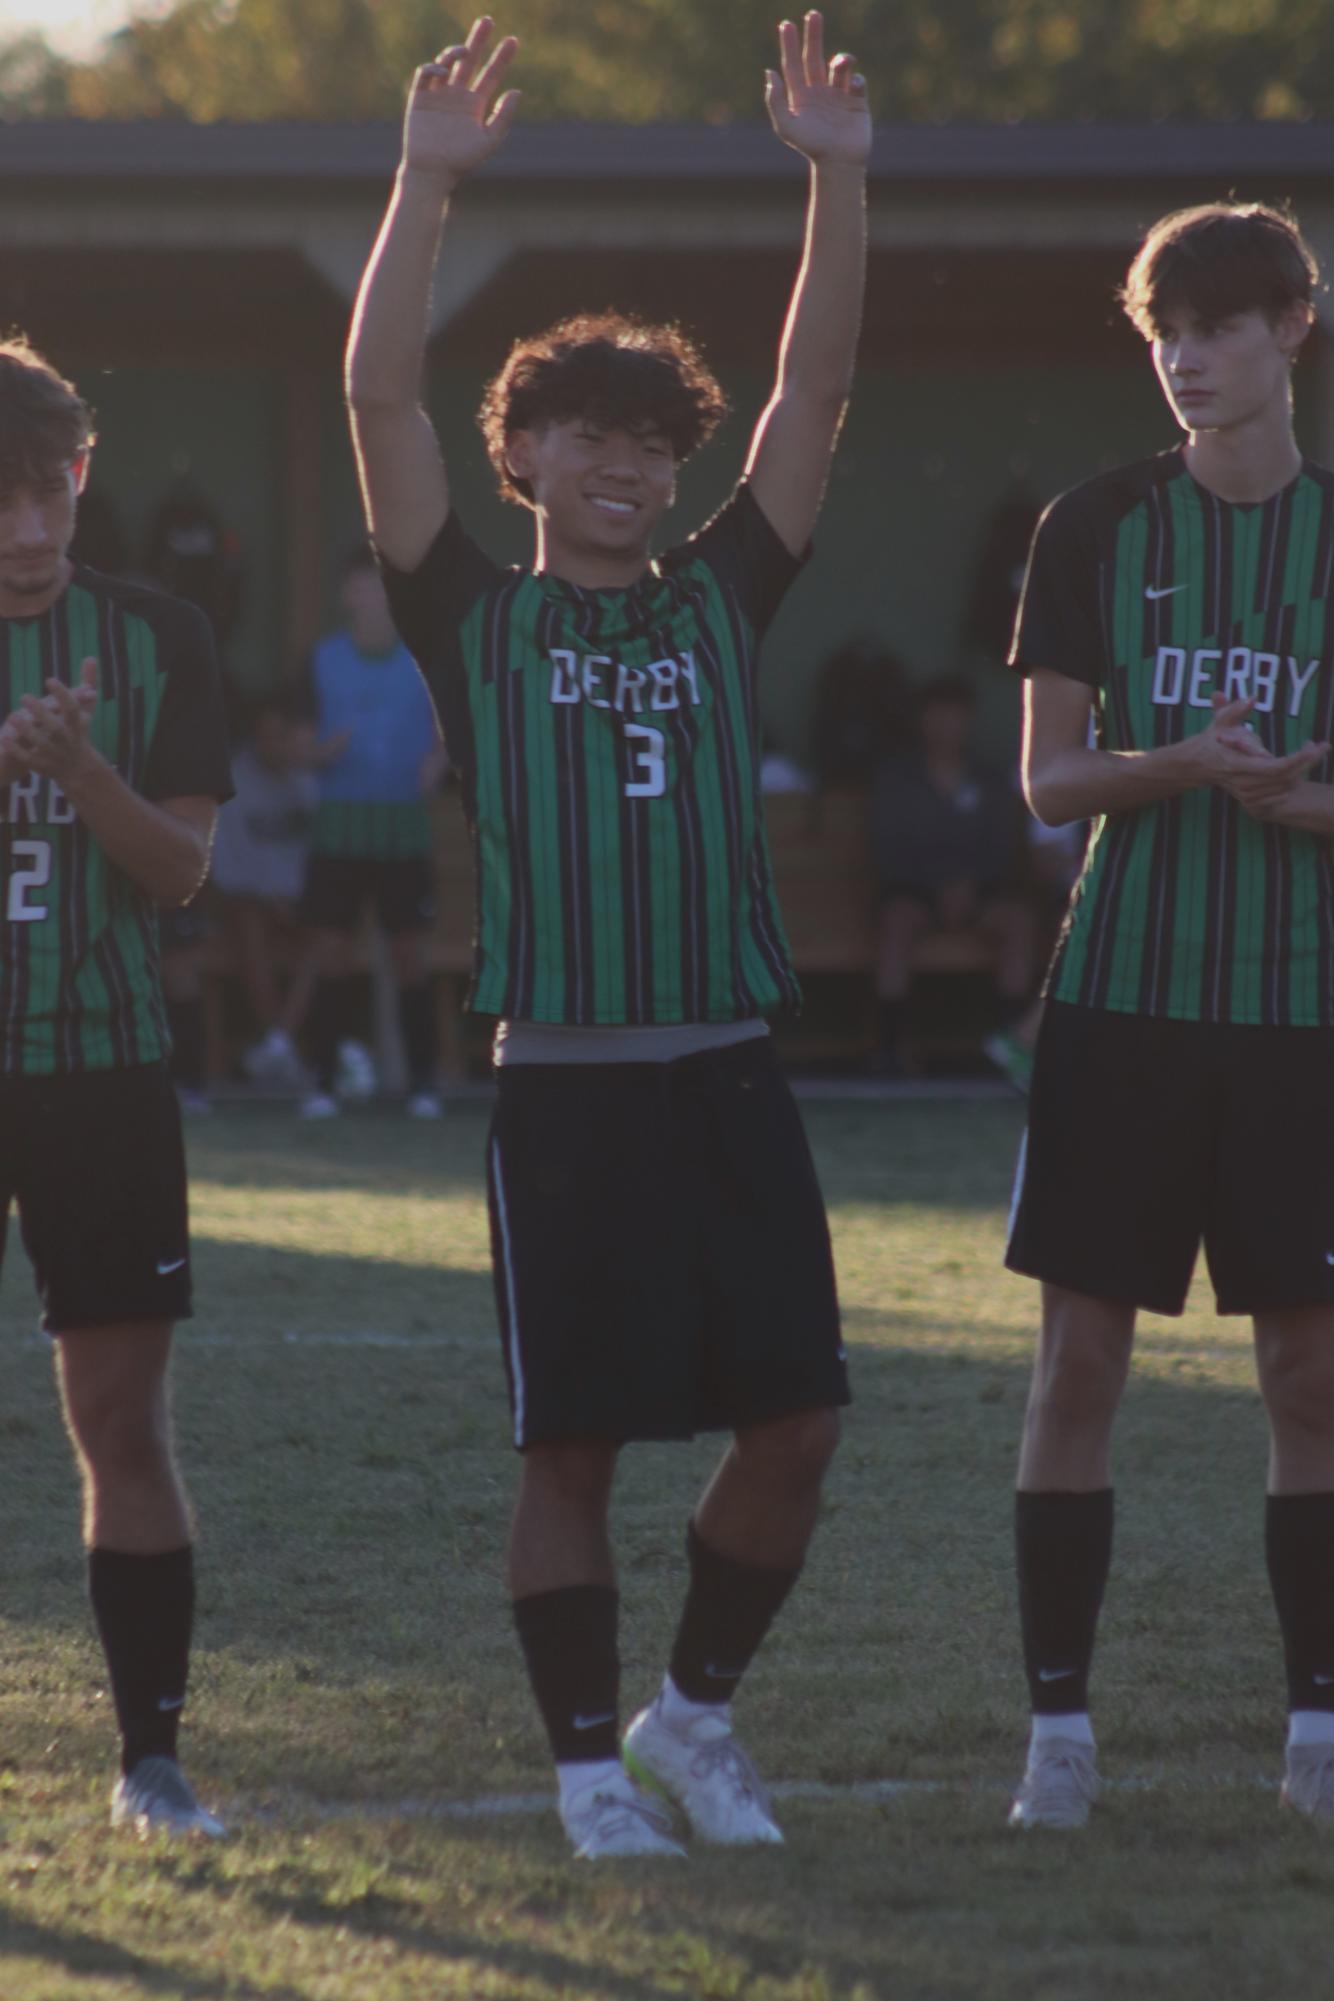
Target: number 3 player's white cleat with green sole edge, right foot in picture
(703,1768)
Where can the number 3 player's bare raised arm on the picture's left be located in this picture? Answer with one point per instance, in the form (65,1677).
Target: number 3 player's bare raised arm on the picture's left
(451,127)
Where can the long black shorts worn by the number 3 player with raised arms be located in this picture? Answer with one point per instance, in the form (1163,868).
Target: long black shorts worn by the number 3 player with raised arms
(661,1252)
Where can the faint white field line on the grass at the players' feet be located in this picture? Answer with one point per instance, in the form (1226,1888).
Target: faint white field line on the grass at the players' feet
(861,1792)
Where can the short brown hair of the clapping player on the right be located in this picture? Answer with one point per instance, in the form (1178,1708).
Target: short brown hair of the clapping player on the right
(1219,259)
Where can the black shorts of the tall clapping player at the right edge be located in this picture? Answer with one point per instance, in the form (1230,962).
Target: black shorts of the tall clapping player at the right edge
(1149,1138)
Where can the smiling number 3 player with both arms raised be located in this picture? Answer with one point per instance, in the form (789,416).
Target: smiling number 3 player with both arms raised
(659,1238)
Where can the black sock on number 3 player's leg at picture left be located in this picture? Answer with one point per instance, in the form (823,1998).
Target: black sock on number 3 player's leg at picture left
(569,1642)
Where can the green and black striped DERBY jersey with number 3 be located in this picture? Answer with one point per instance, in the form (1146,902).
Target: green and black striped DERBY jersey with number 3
(609,755)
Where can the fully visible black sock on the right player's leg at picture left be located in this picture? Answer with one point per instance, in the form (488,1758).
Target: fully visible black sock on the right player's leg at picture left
(1063,1550)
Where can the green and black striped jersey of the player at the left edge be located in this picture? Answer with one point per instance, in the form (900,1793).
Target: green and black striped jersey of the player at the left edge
(79,963)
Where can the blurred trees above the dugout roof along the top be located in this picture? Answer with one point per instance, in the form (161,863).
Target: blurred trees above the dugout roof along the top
(701,61)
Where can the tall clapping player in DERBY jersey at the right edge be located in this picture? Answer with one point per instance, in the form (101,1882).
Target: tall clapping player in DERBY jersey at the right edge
(1185,1072)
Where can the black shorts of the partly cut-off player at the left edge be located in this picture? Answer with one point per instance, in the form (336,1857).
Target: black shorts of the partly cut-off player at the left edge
(97,1168)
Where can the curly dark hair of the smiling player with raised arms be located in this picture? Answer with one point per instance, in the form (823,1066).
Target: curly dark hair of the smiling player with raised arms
(617,371)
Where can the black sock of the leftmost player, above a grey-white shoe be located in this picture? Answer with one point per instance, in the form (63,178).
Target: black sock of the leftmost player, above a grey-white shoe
(145,1612)
